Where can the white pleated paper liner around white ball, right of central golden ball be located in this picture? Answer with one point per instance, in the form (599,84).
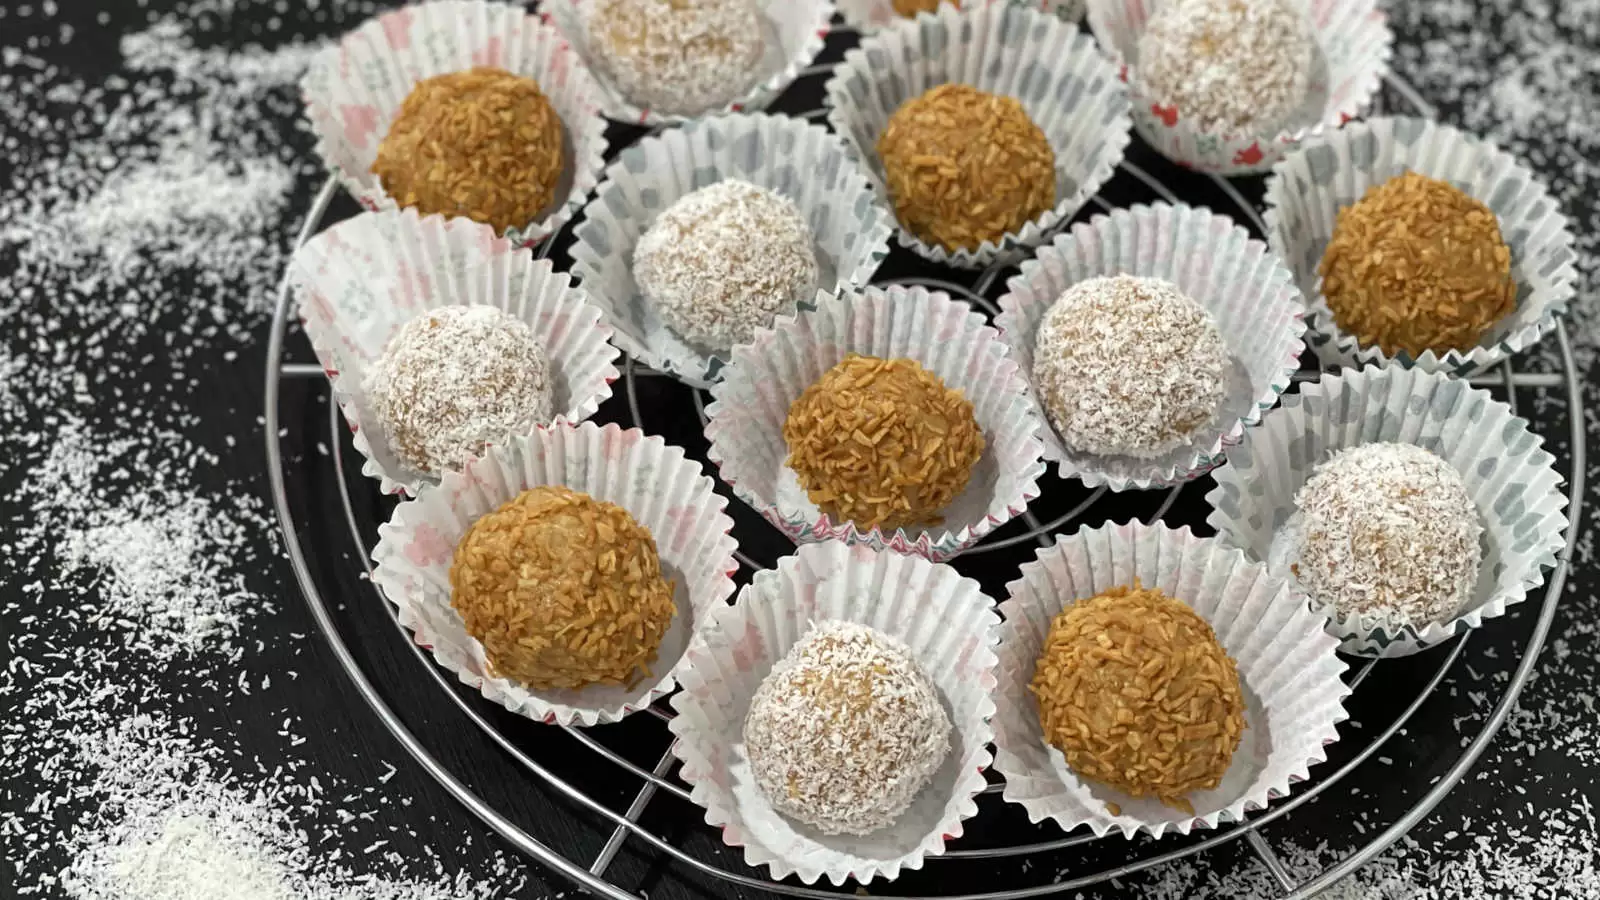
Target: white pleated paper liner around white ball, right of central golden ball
(1247,291)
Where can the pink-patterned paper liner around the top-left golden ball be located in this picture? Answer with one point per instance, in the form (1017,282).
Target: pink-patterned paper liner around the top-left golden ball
(354,90)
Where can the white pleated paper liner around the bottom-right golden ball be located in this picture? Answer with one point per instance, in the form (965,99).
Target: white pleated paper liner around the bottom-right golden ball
(1287,667)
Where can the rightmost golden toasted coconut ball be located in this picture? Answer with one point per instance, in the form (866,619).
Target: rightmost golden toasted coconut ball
(1417,265)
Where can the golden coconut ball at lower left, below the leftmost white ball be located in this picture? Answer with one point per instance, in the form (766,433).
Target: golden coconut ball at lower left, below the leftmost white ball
(562,590)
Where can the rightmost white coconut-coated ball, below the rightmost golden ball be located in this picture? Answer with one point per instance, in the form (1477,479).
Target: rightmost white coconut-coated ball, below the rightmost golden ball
(1388,531)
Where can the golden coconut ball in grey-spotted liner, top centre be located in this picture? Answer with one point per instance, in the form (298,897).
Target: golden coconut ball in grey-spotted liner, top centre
(966,167)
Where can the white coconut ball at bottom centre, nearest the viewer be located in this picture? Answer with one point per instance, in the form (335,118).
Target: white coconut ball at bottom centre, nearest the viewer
(846,731)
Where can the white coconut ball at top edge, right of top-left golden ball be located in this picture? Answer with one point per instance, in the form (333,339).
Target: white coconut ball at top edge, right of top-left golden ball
(678,57)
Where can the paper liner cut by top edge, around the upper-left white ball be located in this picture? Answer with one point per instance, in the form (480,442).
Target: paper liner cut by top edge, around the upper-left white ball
(794,33)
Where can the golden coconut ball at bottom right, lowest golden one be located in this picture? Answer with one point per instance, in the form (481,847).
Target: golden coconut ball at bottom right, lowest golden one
(1137,693)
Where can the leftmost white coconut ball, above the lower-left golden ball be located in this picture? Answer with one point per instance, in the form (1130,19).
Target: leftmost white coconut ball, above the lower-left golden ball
(455,380)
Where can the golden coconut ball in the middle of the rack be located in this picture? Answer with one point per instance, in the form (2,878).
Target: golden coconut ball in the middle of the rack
(882,443)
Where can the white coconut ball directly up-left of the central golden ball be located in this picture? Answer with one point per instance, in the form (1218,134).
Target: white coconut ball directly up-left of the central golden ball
(724,262)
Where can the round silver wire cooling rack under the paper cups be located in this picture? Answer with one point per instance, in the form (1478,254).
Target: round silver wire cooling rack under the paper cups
(1046,838)
